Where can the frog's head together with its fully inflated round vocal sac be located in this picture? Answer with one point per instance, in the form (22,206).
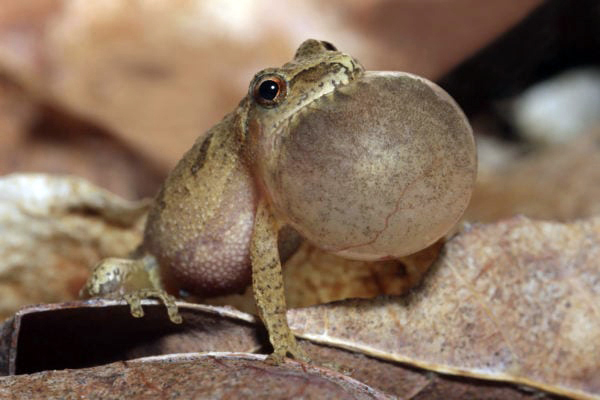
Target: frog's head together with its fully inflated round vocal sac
(368,165)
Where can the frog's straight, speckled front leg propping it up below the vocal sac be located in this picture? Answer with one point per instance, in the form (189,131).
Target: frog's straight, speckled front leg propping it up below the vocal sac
(267,285)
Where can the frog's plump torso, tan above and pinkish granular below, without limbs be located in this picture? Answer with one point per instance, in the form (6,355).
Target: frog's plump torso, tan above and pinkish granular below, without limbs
(200,225)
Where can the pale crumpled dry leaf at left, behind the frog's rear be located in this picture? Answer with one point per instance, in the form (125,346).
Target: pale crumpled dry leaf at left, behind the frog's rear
(53,230)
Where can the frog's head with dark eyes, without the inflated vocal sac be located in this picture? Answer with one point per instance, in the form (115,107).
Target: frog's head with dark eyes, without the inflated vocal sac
(276,95)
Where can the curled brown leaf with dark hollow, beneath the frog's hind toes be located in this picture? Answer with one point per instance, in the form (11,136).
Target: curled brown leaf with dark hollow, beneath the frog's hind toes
(84,334)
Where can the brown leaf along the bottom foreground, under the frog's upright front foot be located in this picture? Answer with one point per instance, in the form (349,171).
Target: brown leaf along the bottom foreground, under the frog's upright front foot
(191,376)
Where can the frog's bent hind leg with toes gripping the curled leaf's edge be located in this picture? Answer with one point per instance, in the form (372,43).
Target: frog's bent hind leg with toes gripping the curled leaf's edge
(132,280)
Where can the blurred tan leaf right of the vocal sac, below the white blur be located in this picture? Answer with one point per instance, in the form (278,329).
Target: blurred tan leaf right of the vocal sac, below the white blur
(561,182)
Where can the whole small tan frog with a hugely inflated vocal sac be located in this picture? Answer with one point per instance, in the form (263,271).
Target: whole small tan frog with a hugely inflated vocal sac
(367,165)
